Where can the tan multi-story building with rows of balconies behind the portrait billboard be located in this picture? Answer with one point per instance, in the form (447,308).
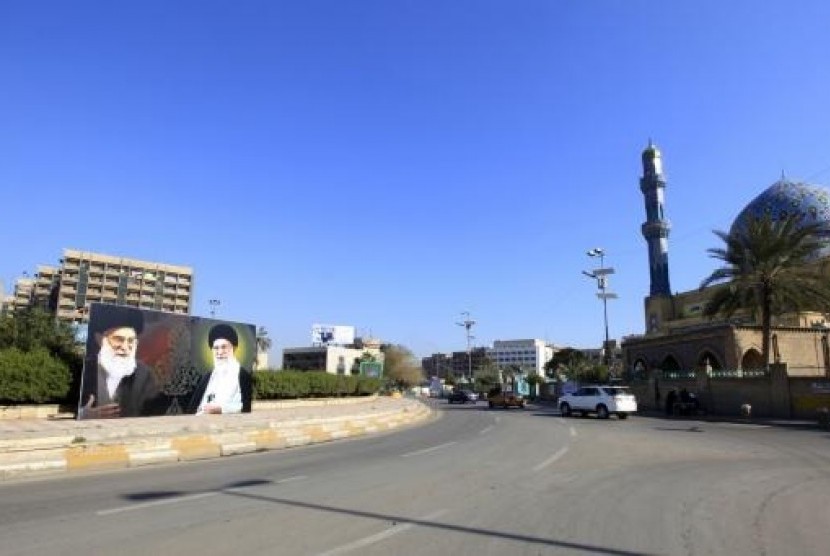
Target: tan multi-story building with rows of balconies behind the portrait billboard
(84,277)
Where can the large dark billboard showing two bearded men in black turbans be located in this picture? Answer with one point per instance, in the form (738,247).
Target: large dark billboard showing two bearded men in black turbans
(142,362)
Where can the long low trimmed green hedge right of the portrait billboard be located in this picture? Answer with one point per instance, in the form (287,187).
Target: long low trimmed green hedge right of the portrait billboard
(271,385)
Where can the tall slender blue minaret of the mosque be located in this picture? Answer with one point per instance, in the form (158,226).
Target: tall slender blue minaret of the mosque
(656,227)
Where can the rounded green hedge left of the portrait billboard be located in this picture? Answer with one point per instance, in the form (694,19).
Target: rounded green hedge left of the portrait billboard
(32,377)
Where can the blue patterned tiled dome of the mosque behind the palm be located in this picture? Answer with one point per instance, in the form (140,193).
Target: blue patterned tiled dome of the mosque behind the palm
(785,198)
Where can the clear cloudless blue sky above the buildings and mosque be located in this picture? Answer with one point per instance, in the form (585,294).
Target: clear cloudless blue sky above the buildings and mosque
(389,164)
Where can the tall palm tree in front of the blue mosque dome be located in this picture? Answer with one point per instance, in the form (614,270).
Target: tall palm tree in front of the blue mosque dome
(771,268)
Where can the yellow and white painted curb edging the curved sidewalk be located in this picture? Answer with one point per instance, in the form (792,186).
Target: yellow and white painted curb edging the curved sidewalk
(55,454)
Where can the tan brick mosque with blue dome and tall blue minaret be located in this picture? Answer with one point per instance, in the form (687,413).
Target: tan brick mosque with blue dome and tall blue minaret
(721,358)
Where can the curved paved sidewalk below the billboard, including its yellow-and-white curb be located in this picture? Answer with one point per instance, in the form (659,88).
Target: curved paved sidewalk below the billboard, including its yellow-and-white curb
(36,446)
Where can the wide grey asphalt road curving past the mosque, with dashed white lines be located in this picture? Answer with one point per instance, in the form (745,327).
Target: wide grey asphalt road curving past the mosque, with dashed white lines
(473,481)
